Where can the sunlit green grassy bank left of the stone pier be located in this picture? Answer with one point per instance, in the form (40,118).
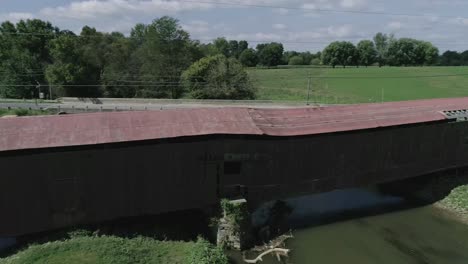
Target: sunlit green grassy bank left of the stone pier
(111,249)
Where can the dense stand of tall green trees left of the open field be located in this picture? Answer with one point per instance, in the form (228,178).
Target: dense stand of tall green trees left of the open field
(158,60)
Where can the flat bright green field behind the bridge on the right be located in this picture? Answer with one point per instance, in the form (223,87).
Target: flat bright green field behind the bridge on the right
(359,85)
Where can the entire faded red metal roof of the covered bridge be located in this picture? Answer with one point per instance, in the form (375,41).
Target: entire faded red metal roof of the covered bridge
(111,127)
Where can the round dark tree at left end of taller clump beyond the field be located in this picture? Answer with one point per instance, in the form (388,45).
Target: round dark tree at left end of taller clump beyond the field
(340,53)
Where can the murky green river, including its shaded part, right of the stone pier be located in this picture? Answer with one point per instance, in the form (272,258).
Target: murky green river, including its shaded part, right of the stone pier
(363,226)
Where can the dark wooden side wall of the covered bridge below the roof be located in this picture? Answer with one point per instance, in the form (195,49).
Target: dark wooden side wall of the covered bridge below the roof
(48,190)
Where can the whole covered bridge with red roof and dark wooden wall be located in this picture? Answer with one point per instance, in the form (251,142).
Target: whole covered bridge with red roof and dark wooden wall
(58,171)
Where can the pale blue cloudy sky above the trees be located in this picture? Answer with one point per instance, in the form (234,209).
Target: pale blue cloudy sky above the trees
(443,22)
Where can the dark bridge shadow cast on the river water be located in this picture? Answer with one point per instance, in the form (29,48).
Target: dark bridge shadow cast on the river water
(349,204)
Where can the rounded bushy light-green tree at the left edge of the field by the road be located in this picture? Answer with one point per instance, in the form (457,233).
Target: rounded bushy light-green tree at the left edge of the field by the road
(218,77)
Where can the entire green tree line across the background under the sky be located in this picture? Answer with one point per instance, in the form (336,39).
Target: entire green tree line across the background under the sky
(160,60)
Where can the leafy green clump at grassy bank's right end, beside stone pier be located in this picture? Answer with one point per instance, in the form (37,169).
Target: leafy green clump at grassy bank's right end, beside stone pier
(205,253)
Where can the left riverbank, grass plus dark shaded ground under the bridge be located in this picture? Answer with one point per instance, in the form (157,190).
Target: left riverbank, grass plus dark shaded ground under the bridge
(169,238)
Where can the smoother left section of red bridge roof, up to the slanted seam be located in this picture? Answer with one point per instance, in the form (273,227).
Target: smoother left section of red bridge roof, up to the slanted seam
(112,127)
